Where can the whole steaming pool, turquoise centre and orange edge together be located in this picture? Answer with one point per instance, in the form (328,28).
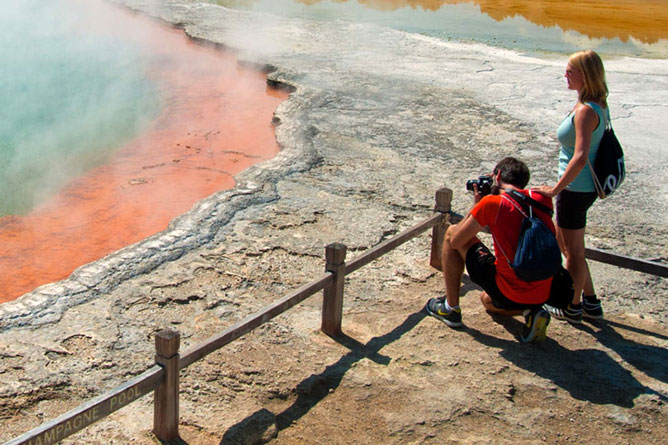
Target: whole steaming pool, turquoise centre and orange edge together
(119,124)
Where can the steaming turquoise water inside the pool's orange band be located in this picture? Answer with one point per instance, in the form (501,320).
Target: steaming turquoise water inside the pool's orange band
(68,99)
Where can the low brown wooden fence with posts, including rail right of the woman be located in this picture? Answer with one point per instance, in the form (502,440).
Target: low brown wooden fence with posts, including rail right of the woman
(163,377)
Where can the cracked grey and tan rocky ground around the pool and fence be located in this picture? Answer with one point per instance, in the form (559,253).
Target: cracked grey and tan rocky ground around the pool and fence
(363,152)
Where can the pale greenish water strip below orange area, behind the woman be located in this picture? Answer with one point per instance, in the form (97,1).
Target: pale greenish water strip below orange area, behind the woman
(461,22)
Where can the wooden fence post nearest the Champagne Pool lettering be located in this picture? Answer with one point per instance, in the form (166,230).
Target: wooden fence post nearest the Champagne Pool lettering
(166,396)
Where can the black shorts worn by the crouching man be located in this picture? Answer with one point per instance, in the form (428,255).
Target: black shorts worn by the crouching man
(482,271)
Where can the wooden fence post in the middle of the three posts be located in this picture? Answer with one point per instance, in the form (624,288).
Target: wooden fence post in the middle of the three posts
(332,305)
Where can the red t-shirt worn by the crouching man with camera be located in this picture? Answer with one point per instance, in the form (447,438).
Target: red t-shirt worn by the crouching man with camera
(504,221)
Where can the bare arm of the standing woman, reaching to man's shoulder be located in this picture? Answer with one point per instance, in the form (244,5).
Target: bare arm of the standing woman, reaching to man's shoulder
(586,121)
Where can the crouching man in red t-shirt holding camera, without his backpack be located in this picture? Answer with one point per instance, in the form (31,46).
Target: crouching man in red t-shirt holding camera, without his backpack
(503,292)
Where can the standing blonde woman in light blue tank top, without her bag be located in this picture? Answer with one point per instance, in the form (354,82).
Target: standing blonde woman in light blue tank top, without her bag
(579,134)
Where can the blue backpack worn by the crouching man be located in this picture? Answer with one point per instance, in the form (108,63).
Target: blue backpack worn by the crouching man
(537,256)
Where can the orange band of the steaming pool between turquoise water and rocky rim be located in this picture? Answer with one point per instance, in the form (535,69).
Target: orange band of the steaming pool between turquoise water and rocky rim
(216,122)
